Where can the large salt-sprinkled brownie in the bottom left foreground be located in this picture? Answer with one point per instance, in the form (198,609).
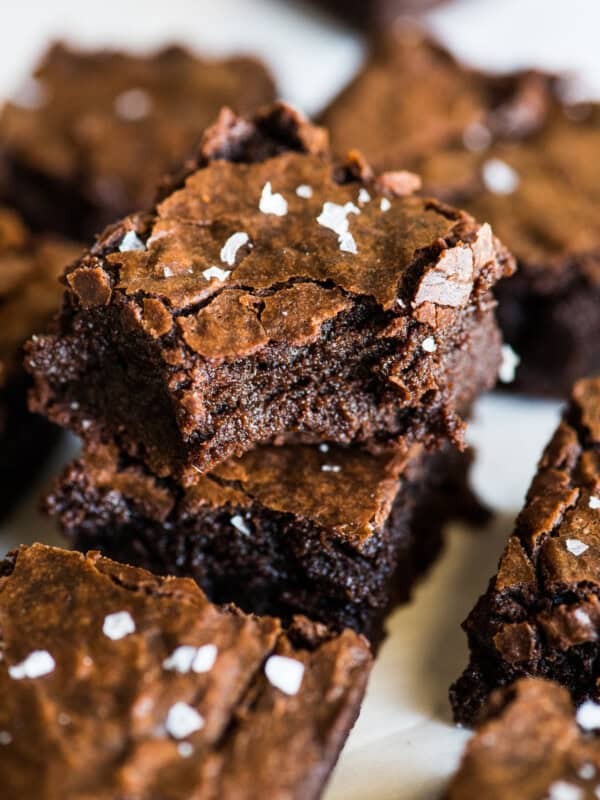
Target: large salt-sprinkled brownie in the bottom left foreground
(115,683)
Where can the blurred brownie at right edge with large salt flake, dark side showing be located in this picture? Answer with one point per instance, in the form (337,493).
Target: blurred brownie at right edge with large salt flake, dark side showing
(541,193)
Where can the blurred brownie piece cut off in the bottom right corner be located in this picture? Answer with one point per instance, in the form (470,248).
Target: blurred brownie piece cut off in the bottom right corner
(530,746)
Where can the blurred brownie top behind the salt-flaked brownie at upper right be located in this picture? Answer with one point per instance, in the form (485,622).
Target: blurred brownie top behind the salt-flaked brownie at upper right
(413,98)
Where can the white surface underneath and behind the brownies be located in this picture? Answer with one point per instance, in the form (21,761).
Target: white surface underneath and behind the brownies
(403,746)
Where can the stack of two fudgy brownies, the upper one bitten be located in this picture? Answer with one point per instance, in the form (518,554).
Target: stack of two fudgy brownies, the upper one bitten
(269,371)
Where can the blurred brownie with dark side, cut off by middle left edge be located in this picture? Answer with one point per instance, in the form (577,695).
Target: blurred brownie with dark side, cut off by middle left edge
(29,293)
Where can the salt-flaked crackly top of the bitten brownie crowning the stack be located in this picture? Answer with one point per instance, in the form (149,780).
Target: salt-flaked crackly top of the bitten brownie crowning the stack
(265,239)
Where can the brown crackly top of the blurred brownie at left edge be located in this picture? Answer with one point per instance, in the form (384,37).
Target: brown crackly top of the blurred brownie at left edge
(29,288)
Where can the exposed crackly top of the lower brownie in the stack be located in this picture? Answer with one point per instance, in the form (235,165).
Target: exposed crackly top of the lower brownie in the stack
(346,491)
